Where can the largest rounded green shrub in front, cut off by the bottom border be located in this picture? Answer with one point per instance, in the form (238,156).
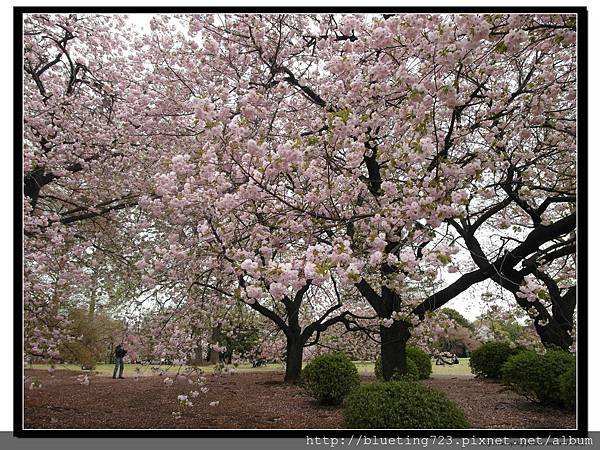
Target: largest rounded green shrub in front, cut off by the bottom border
(401,404)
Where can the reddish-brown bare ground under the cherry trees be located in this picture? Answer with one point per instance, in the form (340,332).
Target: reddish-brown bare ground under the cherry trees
(247,400)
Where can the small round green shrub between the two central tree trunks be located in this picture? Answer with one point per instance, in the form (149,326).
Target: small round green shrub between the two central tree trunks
(329,378)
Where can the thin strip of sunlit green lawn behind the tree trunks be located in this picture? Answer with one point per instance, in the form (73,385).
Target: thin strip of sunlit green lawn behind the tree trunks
(364,368)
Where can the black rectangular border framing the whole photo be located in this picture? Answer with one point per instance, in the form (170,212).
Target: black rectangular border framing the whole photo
(582,228)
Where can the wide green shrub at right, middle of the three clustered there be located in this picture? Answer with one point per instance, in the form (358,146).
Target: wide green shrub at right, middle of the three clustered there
(536,376)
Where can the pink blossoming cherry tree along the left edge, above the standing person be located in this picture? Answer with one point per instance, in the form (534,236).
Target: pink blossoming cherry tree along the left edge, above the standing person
(88,114)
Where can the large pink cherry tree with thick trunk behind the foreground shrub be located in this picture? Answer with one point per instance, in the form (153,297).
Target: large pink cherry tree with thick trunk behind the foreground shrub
(384,143)
